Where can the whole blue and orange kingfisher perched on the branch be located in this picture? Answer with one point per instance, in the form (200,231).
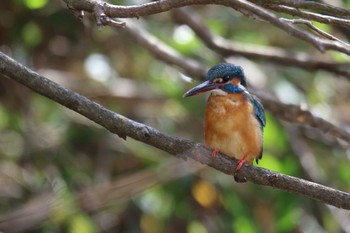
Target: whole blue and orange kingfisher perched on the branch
(234,119)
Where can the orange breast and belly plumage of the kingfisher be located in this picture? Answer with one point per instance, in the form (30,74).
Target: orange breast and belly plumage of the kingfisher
(231,127)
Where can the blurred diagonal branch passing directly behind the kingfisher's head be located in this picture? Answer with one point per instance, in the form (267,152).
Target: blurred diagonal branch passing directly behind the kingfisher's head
(287,112)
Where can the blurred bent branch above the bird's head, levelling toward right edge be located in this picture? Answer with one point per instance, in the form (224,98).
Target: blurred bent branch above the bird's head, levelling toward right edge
(276,55)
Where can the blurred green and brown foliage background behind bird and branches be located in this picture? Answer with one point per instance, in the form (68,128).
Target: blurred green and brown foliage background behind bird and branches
(47,149)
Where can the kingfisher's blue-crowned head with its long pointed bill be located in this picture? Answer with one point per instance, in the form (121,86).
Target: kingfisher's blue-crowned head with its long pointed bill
(225,77)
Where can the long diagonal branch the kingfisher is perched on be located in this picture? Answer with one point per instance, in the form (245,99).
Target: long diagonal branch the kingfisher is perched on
(181,148)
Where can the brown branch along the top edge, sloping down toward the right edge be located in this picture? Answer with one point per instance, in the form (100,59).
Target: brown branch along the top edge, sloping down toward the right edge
(251,9)
